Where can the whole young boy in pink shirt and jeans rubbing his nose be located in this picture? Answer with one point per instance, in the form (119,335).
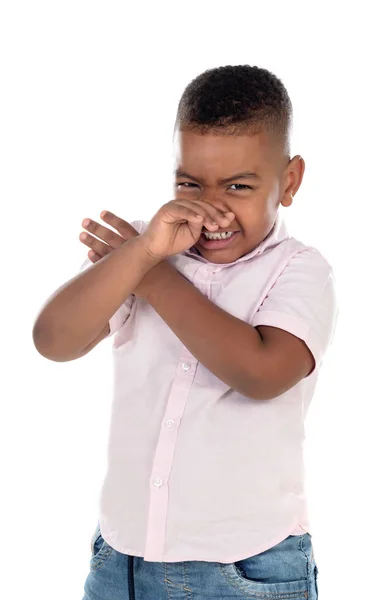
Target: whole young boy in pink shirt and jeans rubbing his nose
(221,322)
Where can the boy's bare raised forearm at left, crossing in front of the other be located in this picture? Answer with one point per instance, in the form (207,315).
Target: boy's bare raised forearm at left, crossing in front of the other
(76,313)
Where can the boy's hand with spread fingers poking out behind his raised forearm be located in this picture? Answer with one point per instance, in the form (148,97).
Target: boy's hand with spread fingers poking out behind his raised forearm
(112,241)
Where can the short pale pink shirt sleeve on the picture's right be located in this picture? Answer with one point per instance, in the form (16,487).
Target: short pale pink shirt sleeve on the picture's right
(303,302)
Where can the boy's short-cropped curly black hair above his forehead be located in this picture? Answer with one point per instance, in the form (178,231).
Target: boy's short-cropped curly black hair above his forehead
(235,100)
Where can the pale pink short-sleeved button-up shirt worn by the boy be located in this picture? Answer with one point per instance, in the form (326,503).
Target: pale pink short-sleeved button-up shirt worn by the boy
(196,470)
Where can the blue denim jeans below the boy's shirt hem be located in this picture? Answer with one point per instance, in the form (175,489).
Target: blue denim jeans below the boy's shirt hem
(286,571)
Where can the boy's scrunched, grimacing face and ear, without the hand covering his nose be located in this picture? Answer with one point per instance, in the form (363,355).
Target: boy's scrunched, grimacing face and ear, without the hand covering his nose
(207,159)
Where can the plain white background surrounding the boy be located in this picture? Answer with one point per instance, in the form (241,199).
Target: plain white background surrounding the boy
(89,92)
